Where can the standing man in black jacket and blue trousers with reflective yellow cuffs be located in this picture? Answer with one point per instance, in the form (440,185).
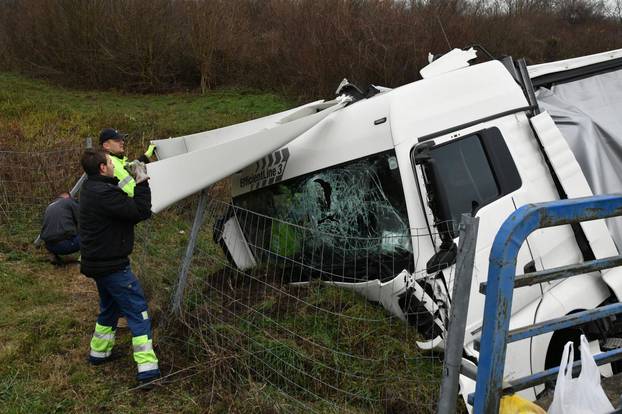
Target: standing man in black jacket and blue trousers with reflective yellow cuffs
(107,219)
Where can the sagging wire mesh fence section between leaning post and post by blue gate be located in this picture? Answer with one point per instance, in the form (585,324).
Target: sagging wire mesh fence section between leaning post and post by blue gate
(320,322)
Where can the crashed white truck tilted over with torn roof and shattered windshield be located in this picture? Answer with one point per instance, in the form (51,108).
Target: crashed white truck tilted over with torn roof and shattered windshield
(403,164)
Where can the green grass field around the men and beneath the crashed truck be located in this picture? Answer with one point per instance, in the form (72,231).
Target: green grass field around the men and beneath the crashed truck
(47,313)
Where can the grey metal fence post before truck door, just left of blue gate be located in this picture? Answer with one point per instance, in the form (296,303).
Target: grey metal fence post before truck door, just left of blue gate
(458,313)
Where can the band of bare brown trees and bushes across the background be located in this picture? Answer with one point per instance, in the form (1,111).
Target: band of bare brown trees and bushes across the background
(301,47)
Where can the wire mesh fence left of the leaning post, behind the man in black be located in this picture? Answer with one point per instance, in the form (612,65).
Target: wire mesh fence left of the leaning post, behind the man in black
(31,180)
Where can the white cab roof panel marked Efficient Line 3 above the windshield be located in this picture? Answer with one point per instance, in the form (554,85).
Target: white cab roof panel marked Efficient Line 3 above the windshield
(382,122)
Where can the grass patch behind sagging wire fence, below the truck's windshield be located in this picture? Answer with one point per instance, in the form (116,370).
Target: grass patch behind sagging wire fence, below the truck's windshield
(327,348)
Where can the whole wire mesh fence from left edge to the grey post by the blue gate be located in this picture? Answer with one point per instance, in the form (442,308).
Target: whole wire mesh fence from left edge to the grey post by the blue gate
(275,317)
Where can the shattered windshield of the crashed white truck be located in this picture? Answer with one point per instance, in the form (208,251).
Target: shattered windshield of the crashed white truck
(344,223)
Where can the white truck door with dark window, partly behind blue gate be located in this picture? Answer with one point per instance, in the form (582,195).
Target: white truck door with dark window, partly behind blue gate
(474,170)
